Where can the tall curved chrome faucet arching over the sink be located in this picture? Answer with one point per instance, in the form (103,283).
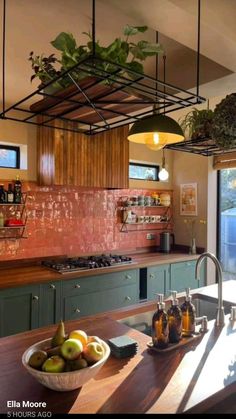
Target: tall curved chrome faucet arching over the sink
(220,315)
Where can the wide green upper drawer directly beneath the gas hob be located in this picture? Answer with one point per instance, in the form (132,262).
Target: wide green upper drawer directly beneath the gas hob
(99,282)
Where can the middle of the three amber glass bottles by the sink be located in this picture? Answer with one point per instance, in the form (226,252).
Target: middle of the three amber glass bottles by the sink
(174,320)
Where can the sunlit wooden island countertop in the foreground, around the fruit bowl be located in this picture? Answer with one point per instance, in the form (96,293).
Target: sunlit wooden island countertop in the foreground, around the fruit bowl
(198,377)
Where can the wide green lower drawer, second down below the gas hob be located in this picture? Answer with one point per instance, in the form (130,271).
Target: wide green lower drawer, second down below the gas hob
(78,306)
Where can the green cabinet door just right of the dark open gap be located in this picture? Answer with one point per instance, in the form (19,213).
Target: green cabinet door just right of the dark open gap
(157,281)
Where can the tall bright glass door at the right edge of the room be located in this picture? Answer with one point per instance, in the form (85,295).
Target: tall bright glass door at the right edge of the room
(227,221)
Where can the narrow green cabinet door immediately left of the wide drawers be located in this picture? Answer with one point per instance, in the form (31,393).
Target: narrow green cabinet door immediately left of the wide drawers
(50,303)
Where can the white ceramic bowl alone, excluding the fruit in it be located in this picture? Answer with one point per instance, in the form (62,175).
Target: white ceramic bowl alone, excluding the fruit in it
(64,381)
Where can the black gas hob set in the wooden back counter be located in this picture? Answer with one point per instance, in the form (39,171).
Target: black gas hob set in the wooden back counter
(85,263)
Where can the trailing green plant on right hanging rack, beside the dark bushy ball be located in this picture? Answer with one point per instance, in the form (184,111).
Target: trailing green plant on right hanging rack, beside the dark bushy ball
(197,123)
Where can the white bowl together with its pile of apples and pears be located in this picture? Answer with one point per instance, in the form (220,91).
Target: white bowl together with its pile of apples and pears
(66,362)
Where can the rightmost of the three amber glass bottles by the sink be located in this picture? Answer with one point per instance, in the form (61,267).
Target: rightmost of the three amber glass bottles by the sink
(188,315)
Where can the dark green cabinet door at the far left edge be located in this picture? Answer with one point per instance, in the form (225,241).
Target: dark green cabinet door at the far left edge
(19,309)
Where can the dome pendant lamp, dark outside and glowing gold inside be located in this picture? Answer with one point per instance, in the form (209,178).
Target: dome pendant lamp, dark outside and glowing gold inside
(156,131)
